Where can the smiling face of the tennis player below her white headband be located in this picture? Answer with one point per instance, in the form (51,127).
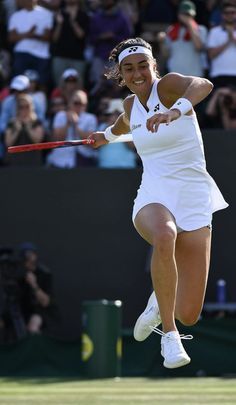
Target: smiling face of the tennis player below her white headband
(138,72)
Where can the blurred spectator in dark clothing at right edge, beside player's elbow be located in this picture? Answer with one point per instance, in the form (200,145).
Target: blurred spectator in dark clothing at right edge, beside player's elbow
(221,108)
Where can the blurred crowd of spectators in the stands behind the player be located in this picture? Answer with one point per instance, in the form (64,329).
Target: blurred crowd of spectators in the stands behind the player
(53,55)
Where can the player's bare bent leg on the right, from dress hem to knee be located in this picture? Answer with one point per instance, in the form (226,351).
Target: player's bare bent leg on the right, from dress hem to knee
(192,258)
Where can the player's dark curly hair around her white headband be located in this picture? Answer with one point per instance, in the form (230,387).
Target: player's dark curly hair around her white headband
(113,71)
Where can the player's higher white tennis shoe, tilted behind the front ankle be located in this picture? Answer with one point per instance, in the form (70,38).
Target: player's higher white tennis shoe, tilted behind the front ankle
(150,318)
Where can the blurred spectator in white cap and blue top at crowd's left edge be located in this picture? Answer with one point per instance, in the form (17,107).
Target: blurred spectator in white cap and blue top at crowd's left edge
(19,85)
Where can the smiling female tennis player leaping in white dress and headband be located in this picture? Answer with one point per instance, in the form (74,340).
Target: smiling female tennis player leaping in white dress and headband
(177,197)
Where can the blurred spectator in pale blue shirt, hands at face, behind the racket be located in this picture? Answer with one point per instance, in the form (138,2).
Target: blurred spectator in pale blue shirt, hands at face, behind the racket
(75,123)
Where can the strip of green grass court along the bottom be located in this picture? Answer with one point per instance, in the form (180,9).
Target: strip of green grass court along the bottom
(124,391)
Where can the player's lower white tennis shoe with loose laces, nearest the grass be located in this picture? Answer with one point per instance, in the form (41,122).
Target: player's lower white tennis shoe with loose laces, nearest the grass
(172,349)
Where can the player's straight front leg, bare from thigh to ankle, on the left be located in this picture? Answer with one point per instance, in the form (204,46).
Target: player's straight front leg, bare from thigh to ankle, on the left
(156,225)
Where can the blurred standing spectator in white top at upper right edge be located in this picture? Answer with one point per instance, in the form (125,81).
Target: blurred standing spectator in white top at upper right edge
(222,48)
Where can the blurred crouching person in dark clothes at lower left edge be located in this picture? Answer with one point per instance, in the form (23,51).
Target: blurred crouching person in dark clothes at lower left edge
(26,293)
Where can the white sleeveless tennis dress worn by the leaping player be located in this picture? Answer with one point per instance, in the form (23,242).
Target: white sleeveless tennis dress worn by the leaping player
(174,167)
